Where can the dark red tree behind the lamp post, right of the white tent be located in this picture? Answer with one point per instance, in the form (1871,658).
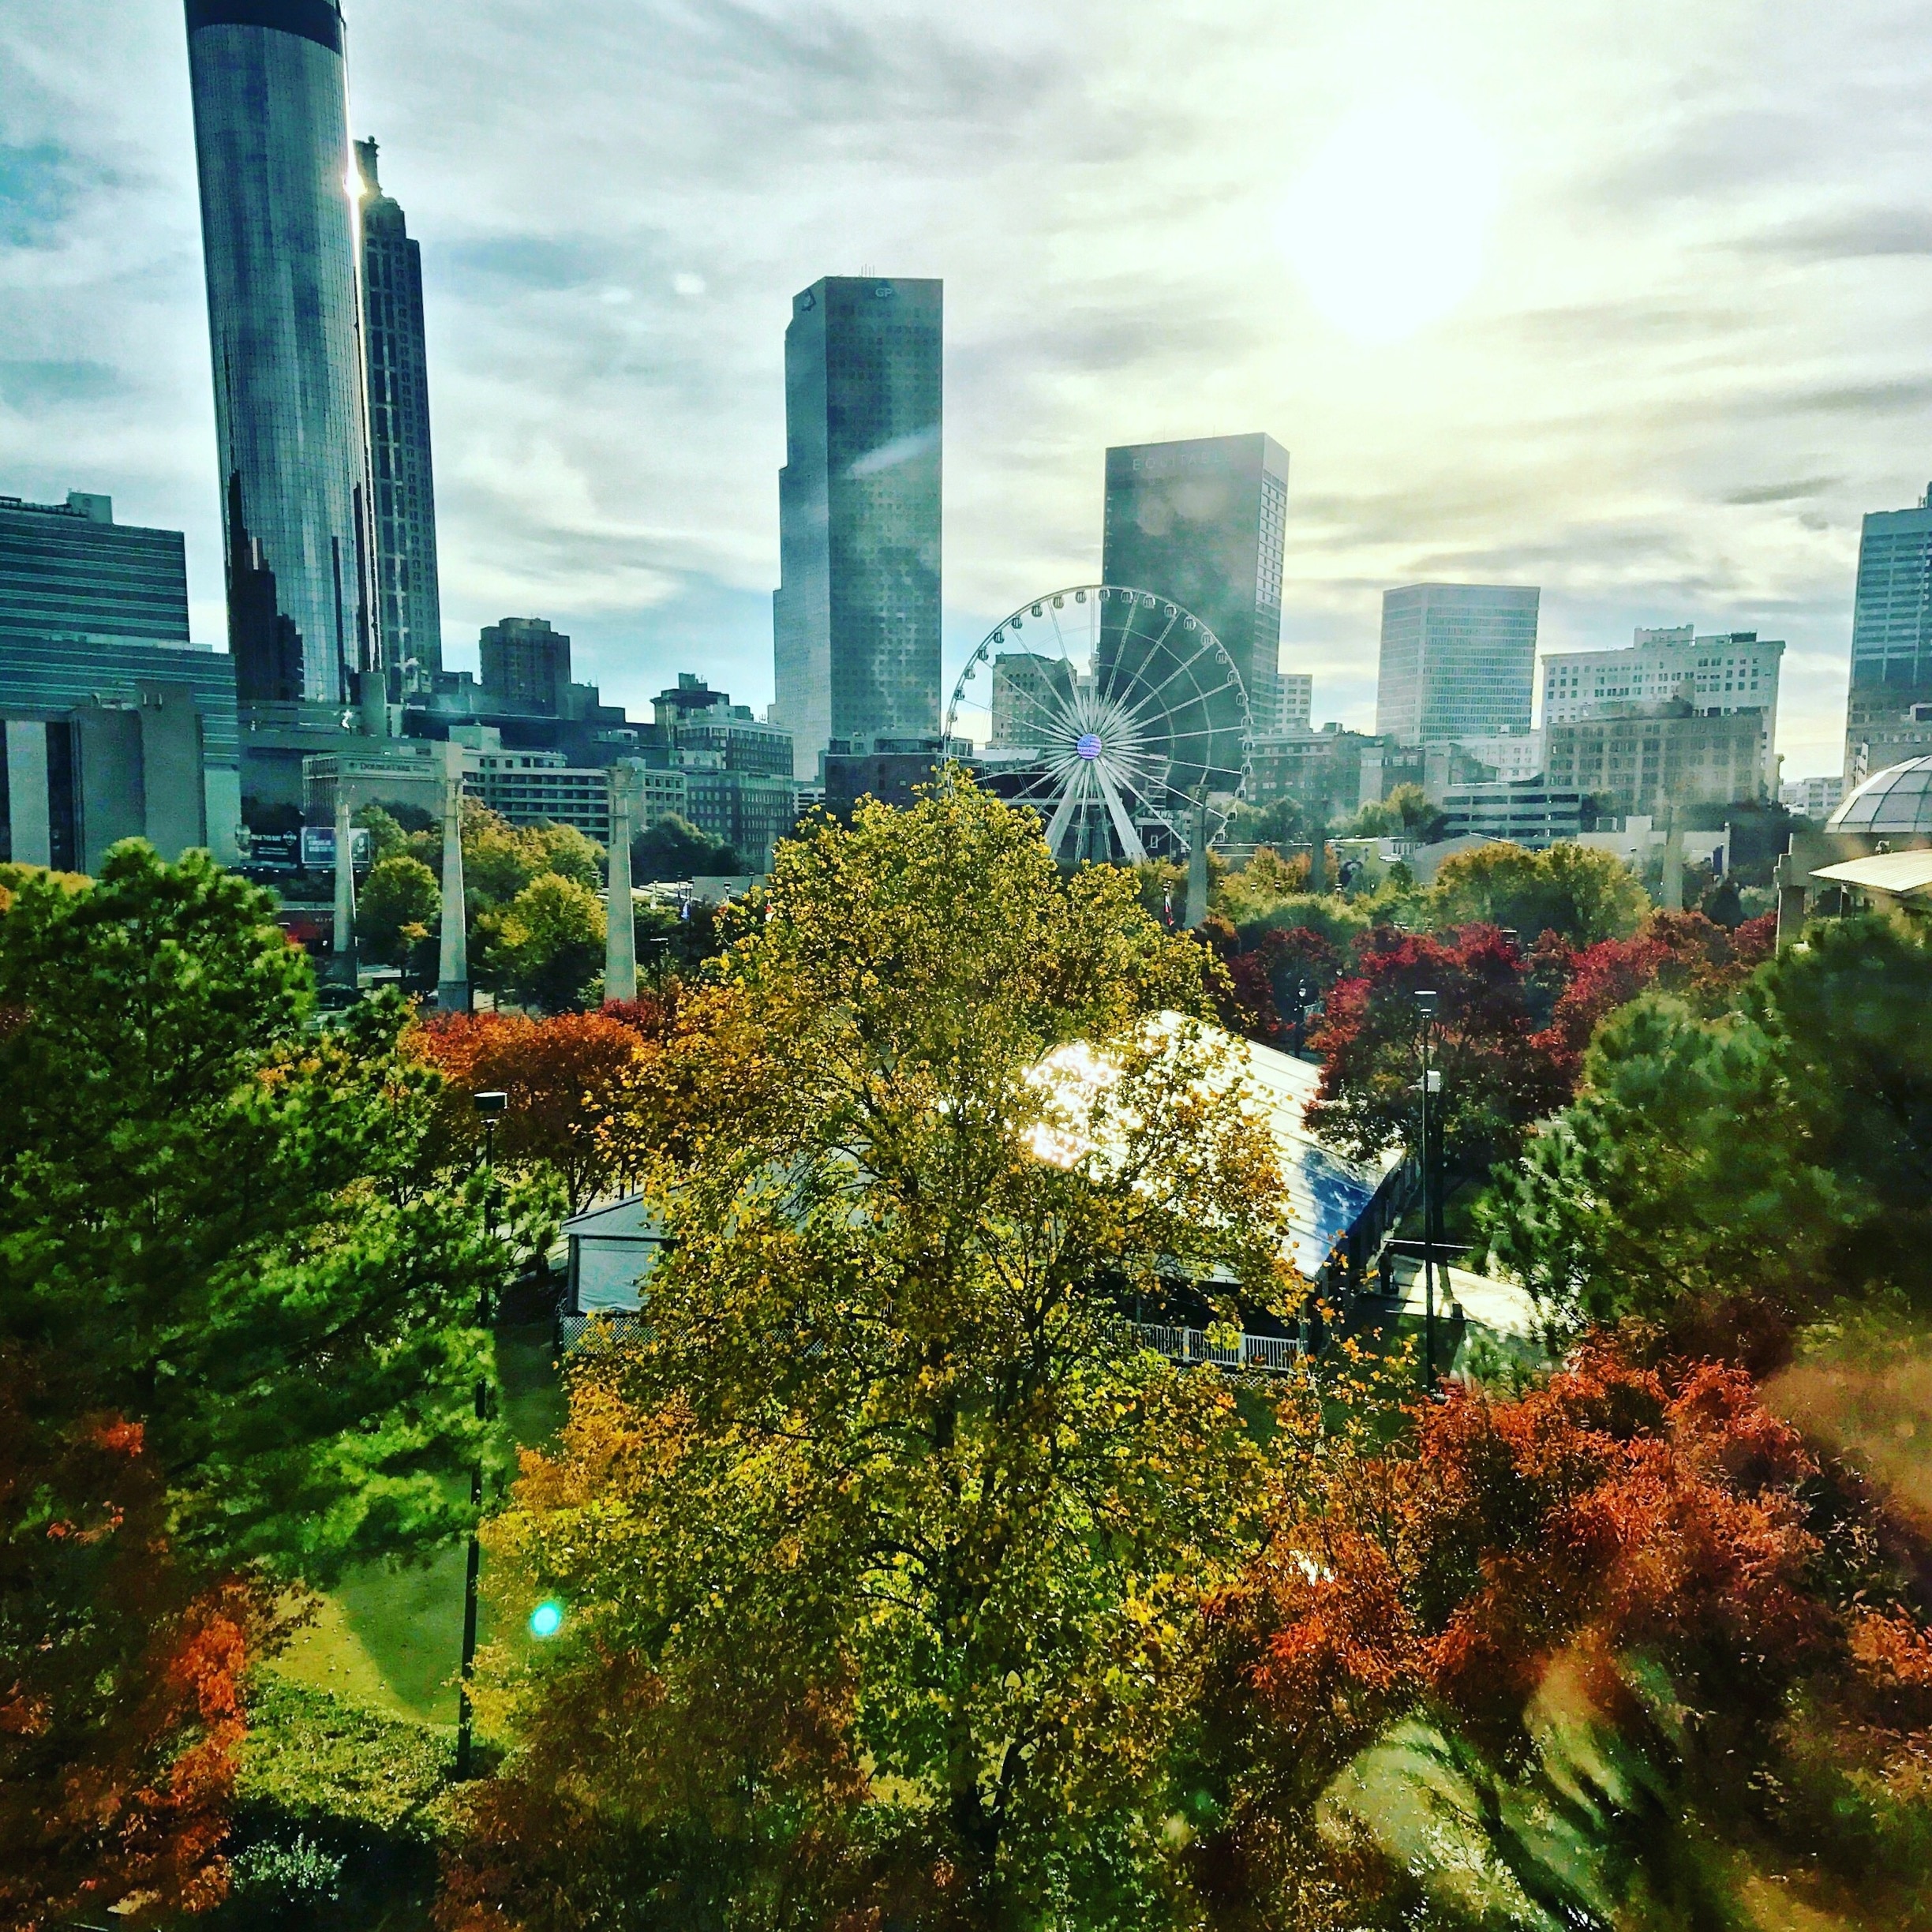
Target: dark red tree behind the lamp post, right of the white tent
(1496,1079)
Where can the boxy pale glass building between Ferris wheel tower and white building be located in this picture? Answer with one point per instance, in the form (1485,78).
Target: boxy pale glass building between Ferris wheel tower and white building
(1458,662)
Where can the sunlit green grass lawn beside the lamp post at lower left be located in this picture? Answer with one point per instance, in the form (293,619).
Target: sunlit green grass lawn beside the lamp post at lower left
(393,1637)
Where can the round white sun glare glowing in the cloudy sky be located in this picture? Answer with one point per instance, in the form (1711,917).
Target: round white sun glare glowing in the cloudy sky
(1388,225)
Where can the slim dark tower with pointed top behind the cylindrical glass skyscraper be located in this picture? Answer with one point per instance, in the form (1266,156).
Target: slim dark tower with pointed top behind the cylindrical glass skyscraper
(409,602)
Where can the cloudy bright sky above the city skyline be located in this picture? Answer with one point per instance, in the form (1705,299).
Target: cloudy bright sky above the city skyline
(1628,300)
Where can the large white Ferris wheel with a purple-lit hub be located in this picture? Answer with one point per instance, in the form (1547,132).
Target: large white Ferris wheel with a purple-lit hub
(1116,716)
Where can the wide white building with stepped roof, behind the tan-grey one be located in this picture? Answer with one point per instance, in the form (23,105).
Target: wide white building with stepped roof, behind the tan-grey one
(1719,675)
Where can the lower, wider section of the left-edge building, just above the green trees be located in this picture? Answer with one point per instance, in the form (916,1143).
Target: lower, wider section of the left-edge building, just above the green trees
(109,741)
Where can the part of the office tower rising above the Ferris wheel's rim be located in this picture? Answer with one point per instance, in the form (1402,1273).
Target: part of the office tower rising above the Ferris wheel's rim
(1203,525)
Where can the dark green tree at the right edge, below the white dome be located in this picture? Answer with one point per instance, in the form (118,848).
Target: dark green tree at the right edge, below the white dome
(1747,1172)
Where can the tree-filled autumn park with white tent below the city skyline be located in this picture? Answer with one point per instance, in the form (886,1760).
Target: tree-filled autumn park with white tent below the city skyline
(894,1564)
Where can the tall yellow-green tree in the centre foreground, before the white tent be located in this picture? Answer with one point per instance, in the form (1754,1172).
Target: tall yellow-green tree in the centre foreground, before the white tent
(878,1535)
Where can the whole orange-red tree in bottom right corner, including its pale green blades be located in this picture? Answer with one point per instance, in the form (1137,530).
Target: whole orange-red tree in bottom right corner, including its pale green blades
(1614,1653)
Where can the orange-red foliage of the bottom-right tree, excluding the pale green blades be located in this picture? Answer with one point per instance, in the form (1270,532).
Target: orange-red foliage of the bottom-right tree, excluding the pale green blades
(1624,1525)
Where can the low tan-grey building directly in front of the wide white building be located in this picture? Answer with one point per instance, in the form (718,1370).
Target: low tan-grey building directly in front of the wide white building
(1647,762)
